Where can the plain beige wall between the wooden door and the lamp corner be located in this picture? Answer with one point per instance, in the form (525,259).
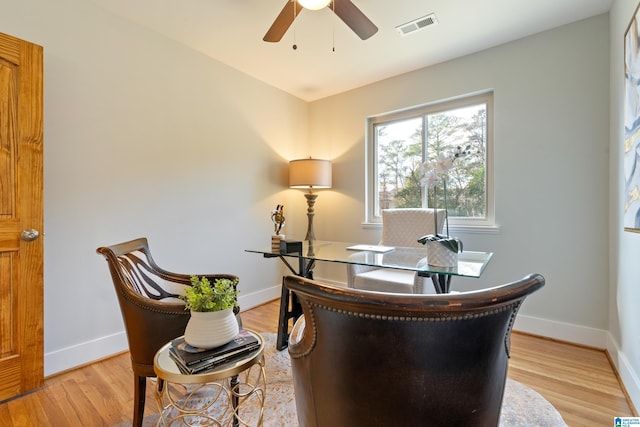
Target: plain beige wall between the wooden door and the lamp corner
(144,137)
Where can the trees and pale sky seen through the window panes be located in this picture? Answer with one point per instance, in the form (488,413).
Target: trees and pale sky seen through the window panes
(399,162)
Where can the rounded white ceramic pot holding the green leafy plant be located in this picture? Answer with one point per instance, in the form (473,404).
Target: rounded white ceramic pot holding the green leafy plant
(211,329)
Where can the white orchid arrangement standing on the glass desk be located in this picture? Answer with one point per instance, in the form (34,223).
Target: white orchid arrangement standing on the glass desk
(432,173)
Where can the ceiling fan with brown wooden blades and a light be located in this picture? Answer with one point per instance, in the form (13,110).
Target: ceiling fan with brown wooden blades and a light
(345,9)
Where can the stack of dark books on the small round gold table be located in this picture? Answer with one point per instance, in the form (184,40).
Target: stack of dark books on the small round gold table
(193,360)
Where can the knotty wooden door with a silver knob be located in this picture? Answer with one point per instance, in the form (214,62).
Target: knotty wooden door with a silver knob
(21,217)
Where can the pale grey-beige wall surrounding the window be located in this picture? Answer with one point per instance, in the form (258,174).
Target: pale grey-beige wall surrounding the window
(550,154)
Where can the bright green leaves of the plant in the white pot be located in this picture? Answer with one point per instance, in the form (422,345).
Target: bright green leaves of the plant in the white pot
(201,296)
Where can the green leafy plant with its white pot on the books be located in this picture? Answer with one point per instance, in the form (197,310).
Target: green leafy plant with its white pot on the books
(212,321)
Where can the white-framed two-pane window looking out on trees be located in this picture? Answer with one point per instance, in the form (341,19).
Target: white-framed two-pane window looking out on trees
(399,143)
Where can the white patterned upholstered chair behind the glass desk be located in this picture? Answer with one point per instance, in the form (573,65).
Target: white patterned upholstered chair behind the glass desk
(400,227)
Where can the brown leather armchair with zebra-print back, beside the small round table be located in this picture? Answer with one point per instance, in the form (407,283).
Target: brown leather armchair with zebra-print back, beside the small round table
(152,313)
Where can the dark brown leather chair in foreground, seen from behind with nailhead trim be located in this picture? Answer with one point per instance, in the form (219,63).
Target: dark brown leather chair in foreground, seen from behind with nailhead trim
(363,358)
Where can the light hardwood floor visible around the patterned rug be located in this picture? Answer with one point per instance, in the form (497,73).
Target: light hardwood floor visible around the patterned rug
(580,382)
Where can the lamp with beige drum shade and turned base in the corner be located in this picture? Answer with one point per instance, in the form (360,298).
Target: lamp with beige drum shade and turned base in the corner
(312,174)
